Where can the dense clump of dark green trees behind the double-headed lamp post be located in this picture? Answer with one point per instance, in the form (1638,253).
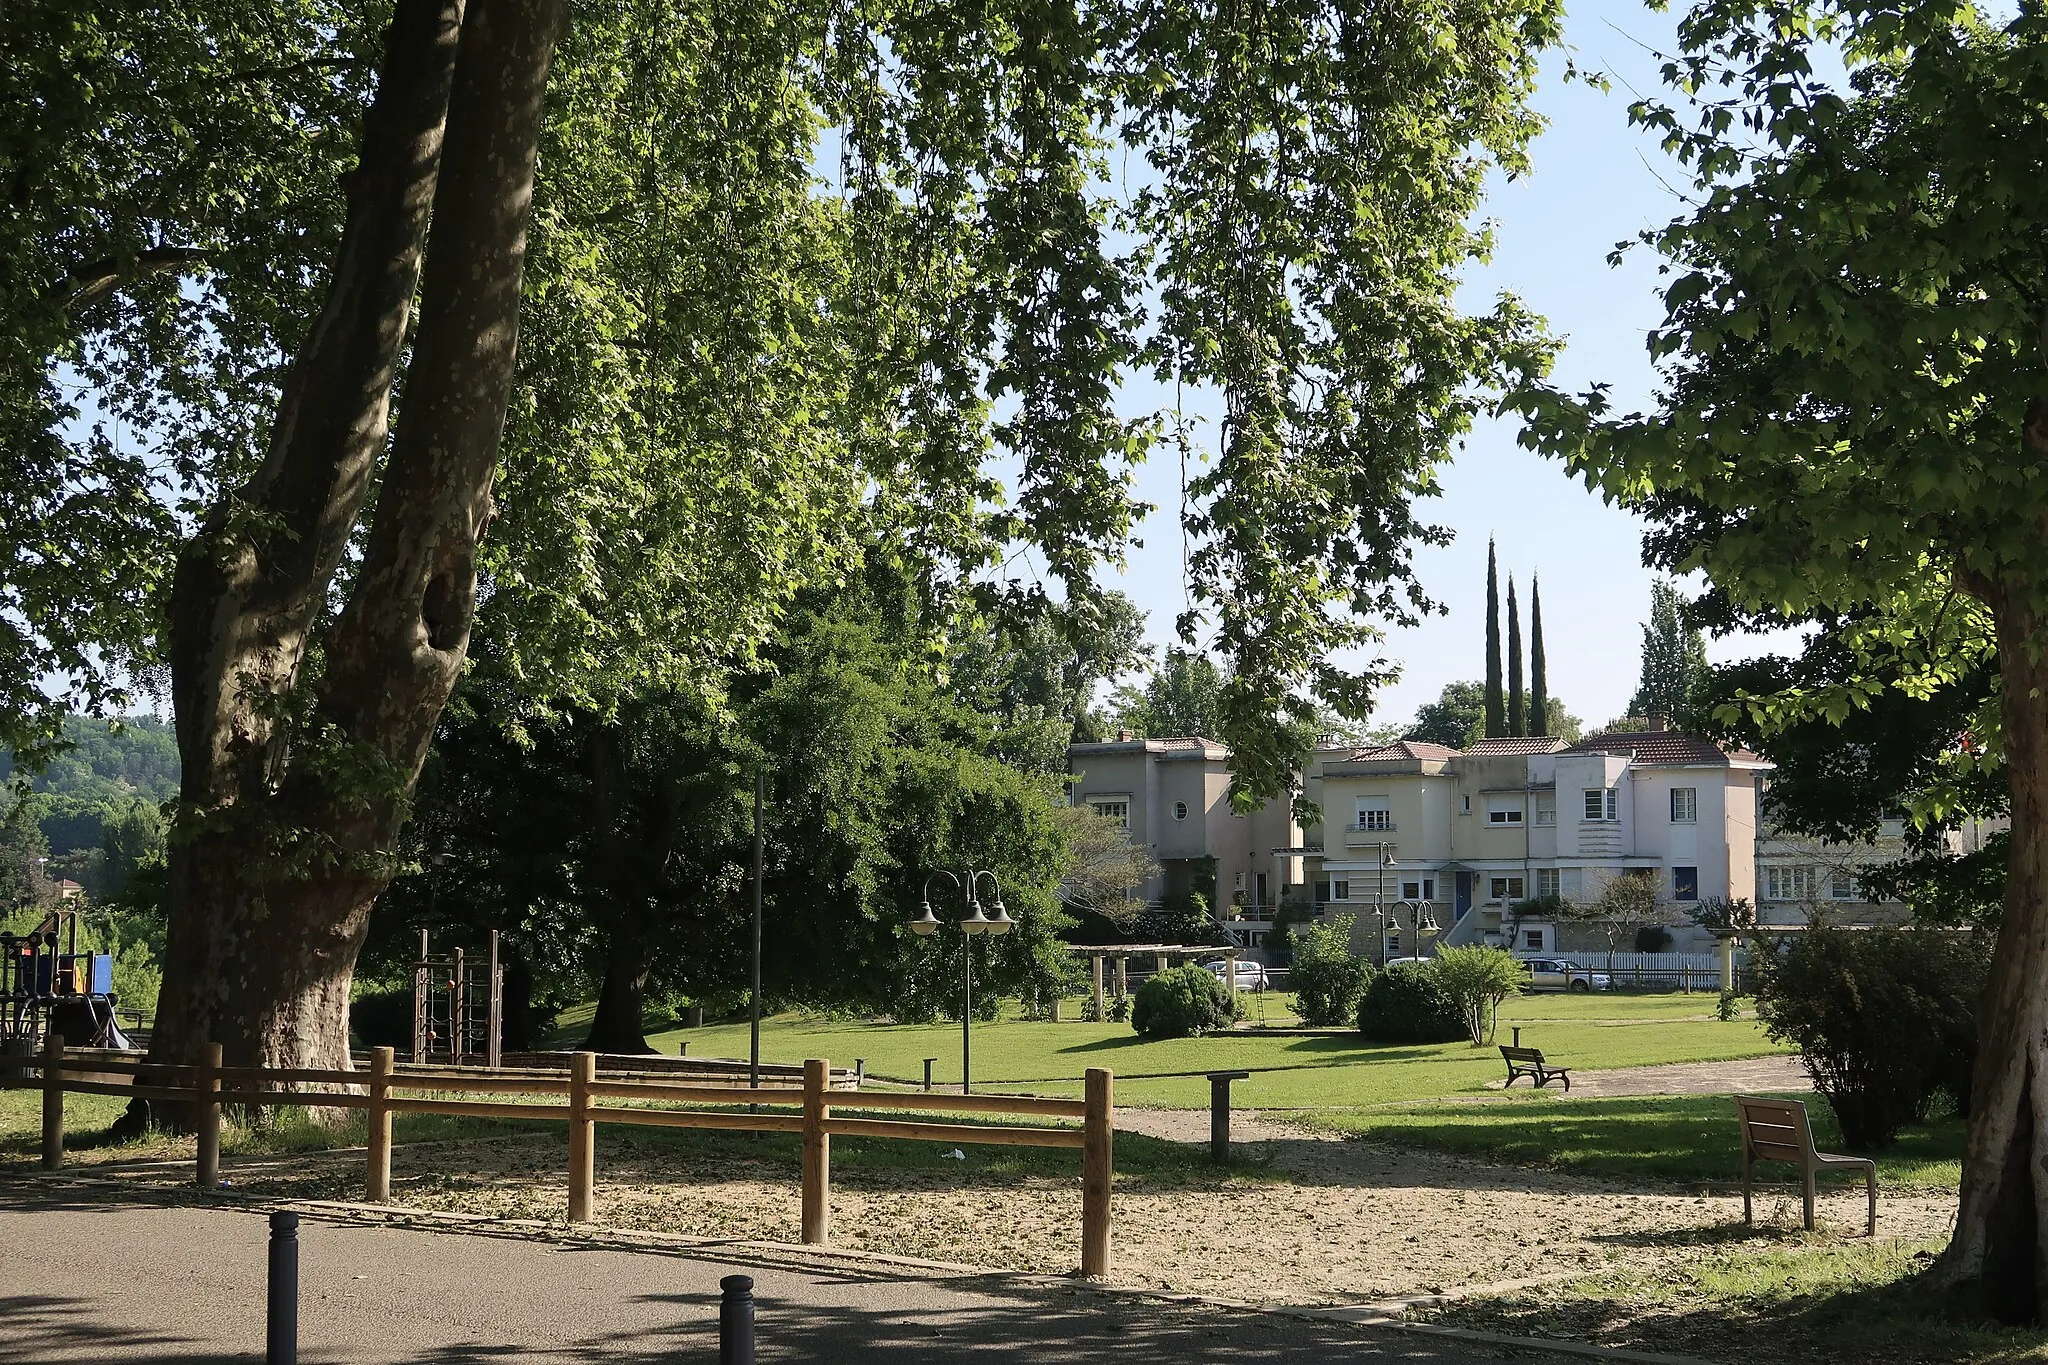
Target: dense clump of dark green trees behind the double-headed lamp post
(615,850)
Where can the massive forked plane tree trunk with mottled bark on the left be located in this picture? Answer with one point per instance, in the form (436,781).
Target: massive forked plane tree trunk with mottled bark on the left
(302,736)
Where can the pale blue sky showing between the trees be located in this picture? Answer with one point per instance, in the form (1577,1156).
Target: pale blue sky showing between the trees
(1596,181)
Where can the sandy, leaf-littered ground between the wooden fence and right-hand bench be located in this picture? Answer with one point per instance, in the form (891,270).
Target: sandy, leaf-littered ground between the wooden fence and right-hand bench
(1326,1221)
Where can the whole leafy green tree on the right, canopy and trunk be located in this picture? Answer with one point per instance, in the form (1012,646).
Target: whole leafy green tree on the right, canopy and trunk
(1852,400)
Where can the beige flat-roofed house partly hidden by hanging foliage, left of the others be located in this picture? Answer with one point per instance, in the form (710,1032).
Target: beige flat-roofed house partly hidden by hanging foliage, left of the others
(1175,799)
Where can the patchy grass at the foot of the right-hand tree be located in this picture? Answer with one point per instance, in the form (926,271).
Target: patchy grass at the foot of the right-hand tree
(1766,1296)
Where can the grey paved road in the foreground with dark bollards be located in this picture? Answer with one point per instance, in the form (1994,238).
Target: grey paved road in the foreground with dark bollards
(91,1280)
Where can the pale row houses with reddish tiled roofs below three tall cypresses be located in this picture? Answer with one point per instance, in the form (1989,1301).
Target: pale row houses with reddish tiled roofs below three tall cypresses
(1457,836)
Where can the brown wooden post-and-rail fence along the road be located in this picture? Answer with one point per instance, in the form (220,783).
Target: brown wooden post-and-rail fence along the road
(812,1110)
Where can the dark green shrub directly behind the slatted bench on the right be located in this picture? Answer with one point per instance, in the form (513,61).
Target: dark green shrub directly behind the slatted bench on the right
(1885,1020)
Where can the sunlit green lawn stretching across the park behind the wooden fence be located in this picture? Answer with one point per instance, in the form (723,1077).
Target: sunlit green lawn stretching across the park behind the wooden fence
(1289,1073)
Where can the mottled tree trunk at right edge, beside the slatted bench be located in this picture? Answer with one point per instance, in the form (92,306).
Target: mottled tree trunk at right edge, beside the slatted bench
(2002,1225)
